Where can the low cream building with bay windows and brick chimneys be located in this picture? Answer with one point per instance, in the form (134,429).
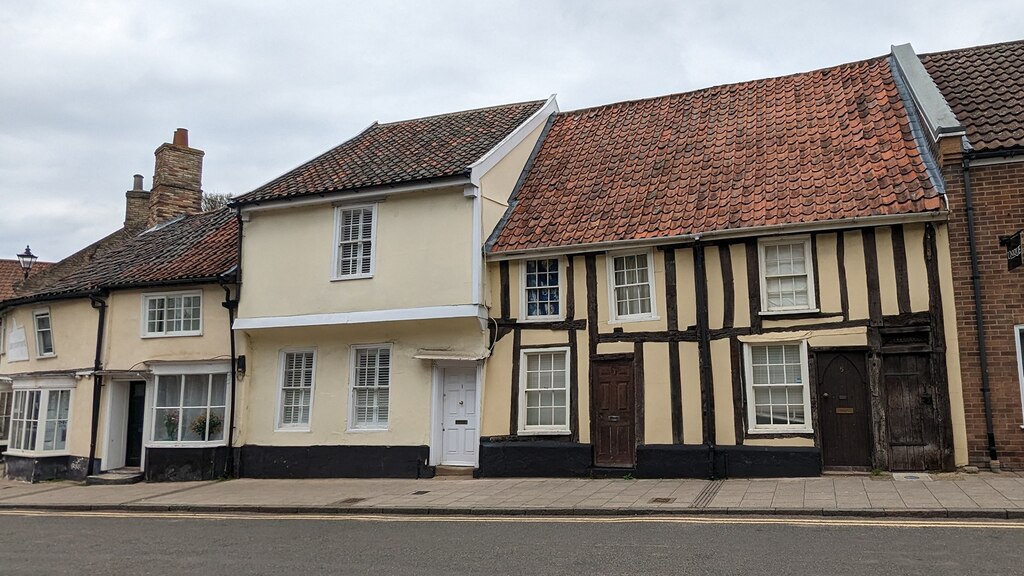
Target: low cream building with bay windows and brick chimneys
(120,356)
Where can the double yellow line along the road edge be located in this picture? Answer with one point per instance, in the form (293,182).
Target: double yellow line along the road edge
(693,520)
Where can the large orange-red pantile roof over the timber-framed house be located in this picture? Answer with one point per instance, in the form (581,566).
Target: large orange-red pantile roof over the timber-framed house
(825,145)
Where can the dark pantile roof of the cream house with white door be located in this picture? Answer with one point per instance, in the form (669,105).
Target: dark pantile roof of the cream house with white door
(436,147)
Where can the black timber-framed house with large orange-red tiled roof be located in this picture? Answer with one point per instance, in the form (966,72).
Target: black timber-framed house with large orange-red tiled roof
(747,280)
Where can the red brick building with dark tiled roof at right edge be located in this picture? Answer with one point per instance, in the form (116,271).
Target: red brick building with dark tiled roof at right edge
(983,166)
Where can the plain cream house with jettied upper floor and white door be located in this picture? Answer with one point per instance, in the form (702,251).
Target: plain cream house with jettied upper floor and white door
(364,307)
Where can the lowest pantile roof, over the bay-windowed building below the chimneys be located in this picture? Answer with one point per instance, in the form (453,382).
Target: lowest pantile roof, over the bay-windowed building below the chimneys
(198,248)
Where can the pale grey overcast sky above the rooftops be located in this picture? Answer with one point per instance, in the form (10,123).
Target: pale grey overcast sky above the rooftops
(89,90)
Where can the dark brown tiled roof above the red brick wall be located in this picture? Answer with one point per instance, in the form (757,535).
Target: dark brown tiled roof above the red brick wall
(985,87)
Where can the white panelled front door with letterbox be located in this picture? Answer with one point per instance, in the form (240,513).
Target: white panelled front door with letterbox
(460,430)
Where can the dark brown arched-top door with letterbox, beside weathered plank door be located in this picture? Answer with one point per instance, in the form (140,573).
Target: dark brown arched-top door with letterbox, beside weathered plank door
(844,409)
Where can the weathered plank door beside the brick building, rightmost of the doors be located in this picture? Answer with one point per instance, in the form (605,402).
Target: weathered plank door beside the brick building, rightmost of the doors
(914,418)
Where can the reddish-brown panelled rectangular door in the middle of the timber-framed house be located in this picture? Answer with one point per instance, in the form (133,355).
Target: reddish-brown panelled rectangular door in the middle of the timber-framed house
(615,415)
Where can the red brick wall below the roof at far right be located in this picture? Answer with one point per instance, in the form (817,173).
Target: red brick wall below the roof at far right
(999,200)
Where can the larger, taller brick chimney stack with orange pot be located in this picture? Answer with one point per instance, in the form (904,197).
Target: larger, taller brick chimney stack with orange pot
(178,181)
